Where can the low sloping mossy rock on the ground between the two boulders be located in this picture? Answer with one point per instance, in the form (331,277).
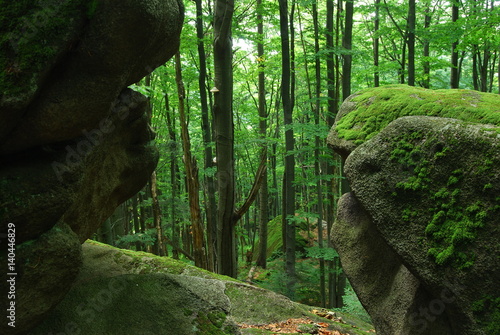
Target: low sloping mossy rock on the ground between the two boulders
(126,292)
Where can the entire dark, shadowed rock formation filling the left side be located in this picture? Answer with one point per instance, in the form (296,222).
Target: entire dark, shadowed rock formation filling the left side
(74,140)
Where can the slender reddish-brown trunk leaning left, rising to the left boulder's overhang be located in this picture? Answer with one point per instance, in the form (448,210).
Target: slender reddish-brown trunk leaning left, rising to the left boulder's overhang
(193,186)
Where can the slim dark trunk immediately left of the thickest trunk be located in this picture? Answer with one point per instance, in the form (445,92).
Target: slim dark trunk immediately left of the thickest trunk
(207,139)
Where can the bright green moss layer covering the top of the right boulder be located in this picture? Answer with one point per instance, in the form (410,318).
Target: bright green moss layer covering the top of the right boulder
(377,107)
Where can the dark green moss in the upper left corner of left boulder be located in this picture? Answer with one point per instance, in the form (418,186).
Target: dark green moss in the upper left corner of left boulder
(34,33)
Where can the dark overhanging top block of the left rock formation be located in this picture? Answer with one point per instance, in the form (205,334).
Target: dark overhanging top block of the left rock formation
(66,62)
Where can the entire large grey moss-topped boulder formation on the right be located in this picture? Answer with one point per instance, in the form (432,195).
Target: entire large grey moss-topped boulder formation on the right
(418,234)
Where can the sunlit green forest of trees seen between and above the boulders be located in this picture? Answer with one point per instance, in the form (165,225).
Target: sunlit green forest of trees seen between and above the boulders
(241,117)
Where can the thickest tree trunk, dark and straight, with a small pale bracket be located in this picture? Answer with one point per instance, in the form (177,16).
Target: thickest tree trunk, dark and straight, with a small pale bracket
(224,136)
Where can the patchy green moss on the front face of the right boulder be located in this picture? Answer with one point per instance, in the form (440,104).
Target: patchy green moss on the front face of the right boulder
(455,218)
